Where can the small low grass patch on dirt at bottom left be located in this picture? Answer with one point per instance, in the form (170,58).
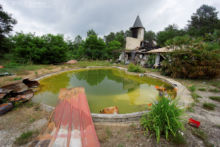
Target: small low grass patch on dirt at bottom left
(25,137)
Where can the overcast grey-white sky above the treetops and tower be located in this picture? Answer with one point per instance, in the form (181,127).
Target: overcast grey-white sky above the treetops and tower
(76,17)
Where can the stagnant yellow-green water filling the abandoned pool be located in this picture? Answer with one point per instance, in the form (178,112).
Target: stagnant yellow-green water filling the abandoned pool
(104,88)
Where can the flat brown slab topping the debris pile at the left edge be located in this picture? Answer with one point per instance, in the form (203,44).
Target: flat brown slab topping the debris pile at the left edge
(15,88)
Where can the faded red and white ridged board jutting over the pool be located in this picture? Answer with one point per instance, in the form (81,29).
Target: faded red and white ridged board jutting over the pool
(71,123)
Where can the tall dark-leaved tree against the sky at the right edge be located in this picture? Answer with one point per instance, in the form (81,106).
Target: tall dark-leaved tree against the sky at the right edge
(205,20)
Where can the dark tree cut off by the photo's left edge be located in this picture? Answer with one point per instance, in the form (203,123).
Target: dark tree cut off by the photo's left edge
(6,26)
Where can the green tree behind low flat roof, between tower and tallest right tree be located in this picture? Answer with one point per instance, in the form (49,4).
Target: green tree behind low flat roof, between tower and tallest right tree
(169,32)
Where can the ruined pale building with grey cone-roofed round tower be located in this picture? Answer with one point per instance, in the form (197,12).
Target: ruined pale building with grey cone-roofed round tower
(137,50)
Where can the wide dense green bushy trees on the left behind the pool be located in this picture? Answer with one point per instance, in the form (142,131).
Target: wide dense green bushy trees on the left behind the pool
(47,49)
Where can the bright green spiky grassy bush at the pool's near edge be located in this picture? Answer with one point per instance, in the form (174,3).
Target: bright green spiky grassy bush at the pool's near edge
(163,119)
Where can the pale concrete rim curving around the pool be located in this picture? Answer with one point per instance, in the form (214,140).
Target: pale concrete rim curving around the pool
(183,96)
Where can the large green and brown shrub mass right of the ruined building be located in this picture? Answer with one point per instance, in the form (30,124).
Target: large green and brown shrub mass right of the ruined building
(194,58)
